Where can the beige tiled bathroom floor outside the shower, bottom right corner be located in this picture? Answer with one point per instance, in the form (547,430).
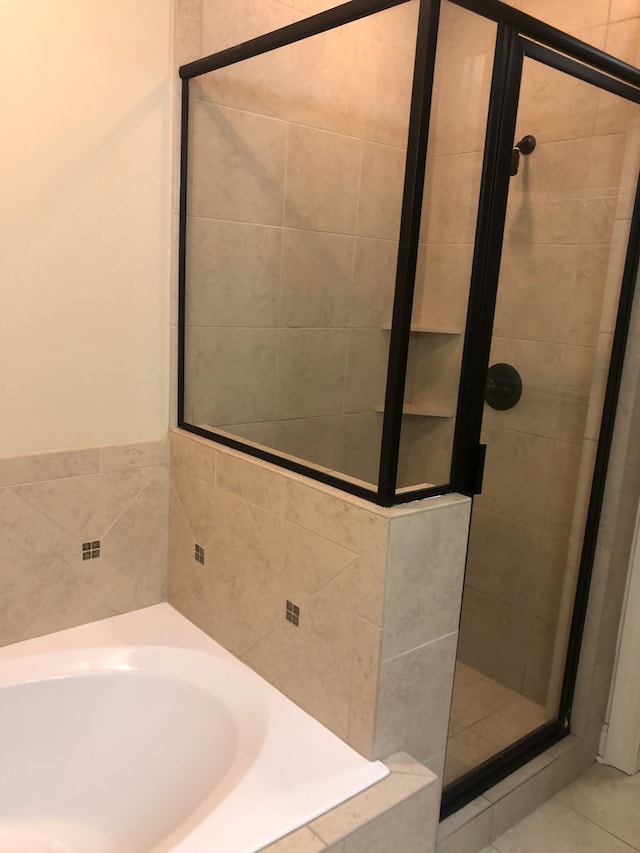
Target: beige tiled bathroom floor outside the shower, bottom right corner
(598,813)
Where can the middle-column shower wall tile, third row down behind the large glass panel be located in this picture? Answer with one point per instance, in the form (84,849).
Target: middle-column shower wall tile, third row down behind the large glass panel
(316,279)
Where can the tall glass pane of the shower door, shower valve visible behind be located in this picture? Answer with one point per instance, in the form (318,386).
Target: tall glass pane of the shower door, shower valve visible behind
(565,238)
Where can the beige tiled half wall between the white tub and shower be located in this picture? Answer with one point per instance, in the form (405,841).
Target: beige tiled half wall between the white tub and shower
(378,592)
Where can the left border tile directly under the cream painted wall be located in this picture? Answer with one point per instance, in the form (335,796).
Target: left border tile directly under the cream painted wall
(34,468)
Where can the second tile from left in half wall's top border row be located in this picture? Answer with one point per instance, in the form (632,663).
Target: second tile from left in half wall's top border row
(251,481)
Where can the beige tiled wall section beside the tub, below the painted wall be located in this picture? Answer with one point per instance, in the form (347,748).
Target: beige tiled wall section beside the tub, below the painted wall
(54,505)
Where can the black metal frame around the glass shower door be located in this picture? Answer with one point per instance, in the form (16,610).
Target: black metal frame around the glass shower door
(468,455)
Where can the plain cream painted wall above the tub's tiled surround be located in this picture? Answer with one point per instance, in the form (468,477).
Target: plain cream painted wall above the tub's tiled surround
(84,222)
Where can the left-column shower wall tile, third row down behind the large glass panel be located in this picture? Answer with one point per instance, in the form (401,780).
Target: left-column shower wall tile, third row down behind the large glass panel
(233,273)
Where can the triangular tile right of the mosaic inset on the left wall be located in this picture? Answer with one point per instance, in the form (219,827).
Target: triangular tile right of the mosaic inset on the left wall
(137,542)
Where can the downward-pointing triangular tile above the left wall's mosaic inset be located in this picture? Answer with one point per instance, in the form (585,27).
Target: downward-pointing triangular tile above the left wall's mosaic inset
(86,507)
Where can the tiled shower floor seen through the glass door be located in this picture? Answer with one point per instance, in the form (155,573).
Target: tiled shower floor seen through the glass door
(485,718)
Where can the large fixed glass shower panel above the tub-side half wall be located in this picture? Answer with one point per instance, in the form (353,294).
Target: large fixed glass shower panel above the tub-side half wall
(297,162)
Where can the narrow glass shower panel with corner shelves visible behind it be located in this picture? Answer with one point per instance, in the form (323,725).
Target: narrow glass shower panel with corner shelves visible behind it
(462,81)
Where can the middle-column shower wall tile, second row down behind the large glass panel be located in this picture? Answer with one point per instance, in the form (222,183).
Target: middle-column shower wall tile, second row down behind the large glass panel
(322,181)
